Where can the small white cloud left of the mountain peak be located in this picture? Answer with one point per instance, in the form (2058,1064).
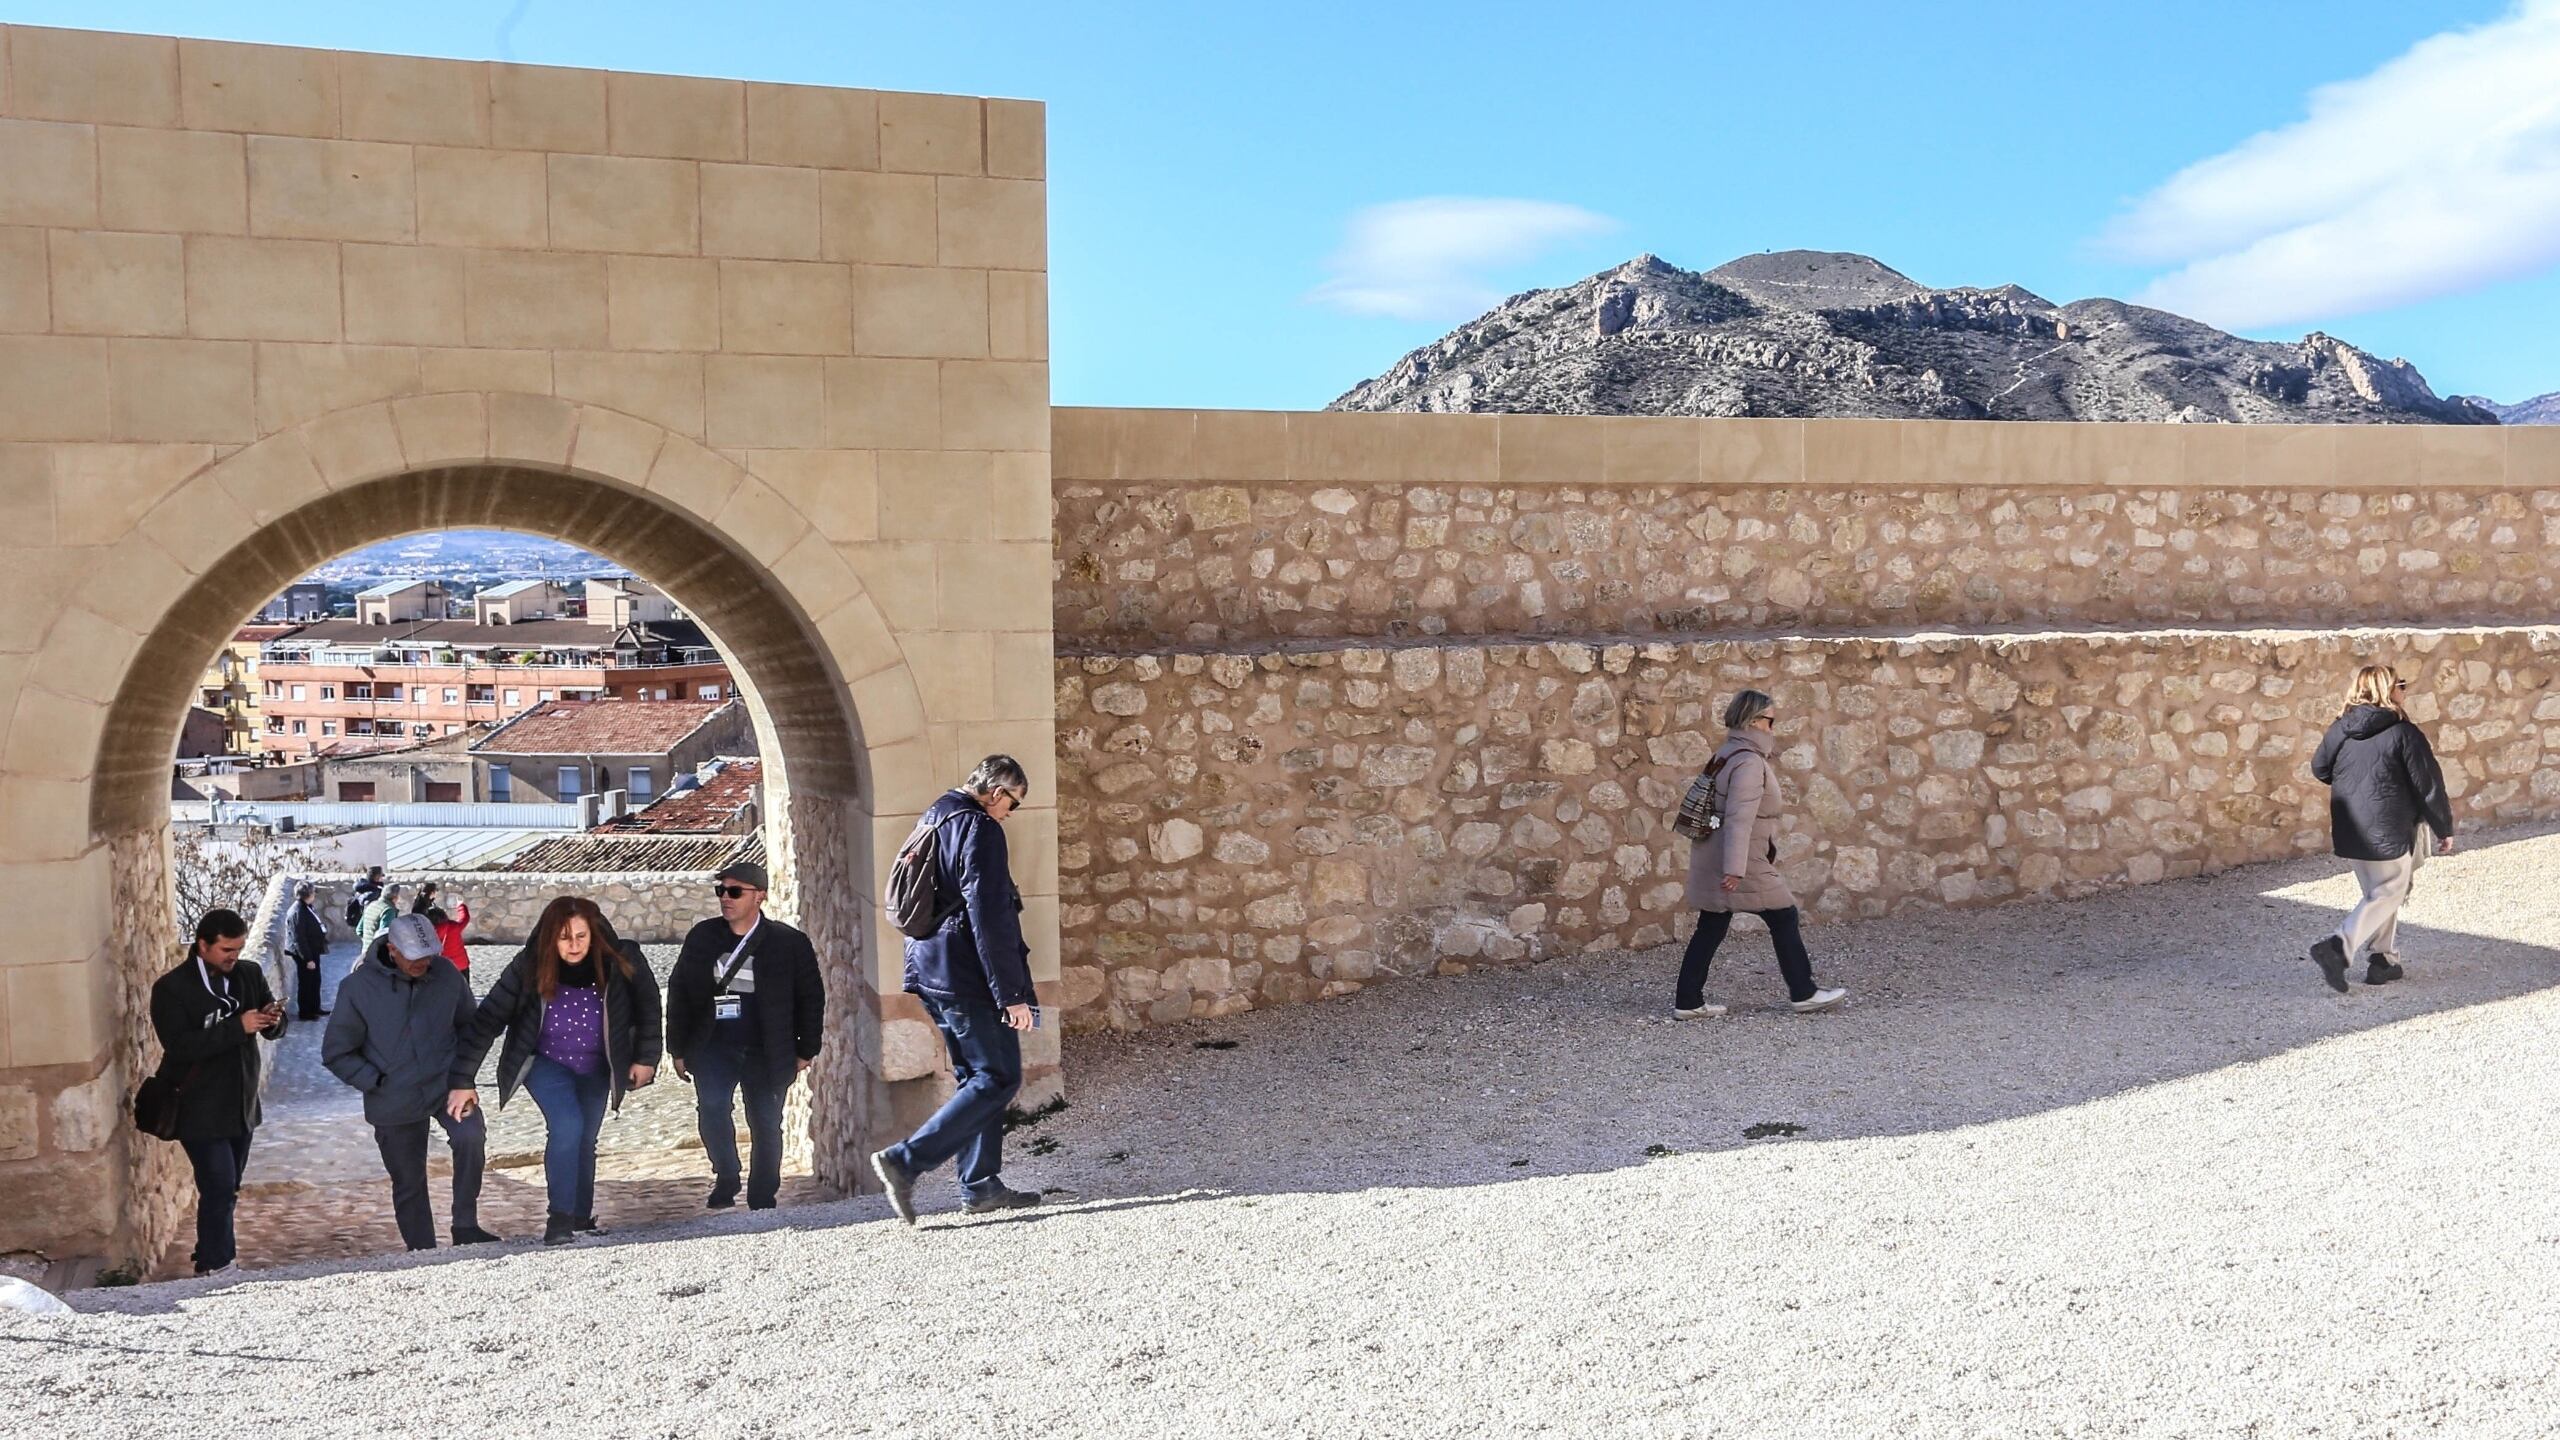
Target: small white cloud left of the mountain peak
(1430,260)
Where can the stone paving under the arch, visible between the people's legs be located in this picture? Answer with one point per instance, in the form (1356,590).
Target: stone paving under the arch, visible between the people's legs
(316,1185)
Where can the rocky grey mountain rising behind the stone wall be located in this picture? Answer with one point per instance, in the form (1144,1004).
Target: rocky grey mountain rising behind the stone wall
(1842,334)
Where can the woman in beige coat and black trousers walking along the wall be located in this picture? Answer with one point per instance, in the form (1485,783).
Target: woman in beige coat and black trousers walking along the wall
(1737,870)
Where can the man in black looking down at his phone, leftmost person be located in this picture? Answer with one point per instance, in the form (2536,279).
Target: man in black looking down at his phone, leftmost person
(209,1016)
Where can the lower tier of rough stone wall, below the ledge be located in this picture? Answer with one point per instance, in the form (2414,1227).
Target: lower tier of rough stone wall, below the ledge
(1289,826)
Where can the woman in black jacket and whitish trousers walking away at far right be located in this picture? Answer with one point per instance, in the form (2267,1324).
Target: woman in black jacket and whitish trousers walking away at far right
(2387,798)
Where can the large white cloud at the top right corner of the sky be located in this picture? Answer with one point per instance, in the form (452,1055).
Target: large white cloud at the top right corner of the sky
(2433,176)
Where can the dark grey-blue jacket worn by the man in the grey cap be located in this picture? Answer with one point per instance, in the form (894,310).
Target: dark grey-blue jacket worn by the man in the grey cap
(396,1036)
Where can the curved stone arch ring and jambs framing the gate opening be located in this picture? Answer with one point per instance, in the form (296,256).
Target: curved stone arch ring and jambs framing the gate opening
(777,598)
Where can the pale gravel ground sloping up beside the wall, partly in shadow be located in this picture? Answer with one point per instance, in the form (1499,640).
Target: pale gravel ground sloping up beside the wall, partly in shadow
(2103,1170)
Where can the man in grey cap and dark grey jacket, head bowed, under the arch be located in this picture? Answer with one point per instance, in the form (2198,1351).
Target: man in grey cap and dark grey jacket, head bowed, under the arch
(401,1016)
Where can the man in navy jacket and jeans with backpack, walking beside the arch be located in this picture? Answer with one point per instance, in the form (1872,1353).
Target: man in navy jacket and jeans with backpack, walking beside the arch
(954,896)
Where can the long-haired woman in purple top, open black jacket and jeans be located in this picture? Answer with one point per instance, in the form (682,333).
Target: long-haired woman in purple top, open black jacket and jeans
(582,1021)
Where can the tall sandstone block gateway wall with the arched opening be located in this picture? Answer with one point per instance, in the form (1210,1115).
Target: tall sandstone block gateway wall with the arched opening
(780,350)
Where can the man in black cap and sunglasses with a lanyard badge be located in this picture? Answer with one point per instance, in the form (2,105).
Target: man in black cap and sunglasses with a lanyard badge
(744,1013)
